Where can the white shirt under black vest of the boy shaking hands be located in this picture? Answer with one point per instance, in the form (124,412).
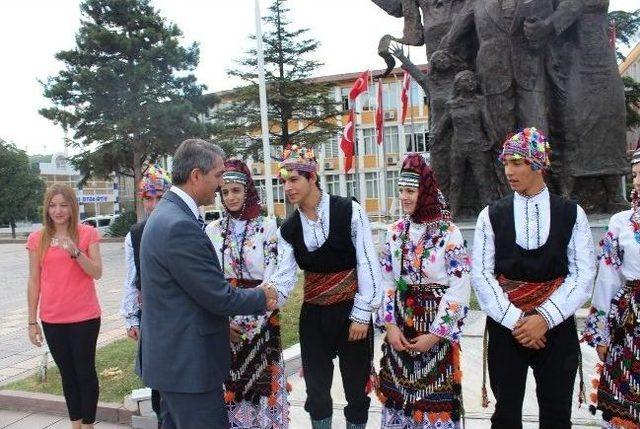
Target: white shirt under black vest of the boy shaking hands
(315,233)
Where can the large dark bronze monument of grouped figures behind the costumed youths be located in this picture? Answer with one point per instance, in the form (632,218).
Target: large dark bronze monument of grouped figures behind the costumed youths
(542,63)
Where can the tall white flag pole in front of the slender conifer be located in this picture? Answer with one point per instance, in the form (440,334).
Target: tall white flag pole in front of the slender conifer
(264,120)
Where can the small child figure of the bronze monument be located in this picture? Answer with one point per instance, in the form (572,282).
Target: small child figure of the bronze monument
(472,143)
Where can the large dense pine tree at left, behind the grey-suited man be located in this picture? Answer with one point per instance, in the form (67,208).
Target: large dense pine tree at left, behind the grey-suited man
(126,91)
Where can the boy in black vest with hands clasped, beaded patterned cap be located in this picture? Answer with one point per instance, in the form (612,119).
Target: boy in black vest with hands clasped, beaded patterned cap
(534,266)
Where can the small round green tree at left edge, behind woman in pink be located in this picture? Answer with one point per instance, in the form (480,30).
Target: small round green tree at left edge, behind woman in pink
(22,189)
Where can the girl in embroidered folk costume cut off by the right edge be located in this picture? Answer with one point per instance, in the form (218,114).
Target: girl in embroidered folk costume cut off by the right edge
(613,324)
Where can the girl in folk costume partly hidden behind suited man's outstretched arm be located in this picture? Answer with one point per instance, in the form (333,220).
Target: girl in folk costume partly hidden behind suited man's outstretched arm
(246,245)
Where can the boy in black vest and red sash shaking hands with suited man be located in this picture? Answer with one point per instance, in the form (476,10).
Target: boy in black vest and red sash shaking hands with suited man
(329,238)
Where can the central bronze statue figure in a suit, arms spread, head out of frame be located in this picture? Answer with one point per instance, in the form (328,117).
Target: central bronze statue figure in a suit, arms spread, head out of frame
(512,37)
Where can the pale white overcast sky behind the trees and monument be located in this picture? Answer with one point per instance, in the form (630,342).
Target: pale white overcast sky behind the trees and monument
(32,31)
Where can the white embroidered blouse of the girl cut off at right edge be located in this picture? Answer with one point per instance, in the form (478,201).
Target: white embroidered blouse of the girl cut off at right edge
(618,261)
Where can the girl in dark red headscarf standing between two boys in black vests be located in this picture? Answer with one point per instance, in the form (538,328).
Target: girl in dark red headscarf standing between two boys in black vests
(427,285)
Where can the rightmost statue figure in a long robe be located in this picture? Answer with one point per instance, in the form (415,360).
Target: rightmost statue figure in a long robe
(593,152)
